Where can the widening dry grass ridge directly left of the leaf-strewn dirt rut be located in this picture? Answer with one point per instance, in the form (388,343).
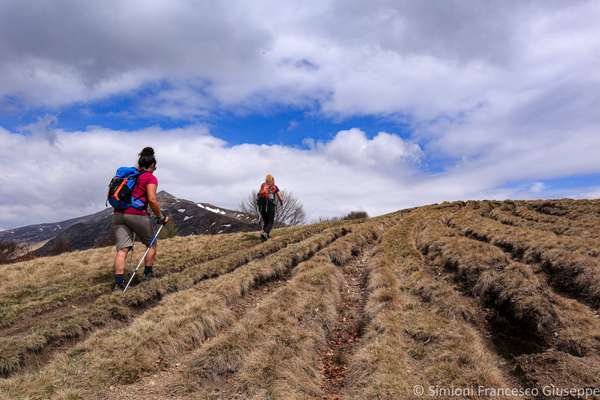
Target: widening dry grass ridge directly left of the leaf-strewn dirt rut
(274,351)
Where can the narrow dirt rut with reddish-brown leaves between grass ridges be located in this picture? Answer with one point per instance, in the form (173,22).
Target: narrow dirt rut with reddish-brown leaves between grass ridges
(348,329)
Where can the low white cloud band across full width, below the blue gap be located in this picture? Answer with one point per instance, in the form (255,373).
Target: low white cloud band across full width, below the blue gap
(49,180)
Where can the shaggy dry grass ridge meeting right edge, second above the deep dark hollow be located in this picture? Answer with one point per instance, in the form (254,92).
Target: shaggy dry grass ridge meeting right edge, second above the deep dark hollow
(572,263)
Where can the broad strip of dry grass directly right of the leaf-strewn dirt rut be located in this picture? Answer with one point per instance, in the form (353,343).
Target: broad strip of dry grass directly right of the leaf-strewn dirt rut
(419,331)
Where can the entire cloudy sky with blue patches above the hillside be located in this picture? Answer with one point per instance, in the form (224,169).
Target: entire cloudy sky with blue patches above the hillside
(352,105)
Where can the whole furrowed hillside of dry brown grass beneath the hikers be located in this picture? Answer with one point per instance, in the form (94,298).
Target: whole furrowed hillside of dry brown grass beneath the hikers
(491,294)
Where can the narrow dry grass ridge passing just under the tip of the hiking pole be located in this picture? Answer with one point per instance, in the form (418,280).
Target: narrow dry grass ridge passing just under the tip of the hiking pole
(19,351)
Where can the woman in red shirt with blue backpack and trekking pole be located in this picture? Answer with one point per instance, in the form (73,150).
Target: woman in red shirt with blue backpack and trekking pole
(131,192)
